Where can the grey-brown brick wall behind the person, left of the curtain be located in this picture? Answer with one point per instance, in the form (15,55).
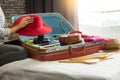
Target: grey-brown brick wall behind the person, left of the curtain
(12,8)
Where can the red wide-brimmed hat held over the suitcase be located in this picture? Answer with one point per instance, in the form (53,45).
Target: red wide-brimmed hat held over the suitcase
(35,28)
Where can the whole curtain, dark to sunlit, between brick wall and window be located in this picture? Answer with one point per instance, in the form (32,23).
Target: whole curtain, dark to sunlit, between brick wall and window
(67,8)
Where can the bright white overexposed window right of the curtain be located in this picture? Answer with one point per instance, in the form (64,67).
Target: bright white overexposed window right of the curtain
(101,13)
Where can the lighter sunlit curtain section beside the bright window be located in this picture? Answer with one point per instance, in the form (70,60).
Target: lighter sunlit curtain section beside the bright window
(68,8)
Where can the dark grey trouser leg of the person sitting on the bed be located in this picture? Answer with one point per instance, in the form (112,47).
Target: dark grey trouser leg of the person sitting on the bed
(10,53)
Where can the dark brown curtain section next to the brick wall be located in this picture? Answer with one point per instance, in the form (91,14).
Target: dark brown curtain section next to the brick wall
(39,6)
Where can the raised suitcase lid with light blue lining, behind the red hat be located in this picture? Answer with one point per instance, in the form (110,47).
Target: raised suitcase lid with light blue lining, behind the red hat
(56,21)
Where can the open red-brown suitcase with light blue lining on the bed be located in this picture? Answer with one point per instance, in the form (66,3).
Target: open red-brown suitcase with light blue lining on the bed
(60,26)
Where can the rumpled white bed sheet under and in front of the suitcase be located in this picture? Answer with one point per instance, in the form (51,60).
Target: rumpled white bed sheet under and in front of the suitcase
(31,69)
